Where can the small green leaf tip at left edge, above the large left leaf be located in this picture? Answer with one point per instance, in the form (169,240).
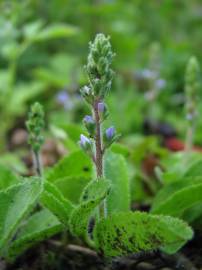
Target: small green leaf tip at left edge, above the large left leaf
(7,178)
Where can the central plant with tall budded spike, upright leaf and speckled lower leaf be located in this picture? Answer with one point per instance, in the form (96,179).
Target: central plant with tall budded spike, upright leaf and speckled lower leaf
(117,231)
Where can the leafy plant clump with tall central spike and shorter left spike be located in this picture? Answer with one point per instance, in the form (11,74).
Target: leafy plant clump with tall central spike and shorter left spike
(71,195)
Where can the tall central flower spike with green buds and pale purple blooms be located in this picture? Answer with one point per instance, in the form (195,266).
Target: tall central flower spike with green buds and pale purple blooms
(100,77)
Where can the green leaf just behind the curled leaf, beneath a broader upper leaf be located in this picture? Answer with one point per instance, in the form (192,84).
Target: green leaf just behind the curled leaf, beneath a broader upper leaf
(72,186)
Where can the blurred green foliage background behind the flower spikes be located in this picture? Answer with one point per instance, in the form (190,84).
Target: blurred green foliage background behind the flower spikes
(44,46)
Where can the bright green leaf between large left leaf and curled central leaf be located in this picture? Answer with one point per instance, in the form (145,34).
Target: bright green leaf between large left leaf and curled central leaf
(53,199)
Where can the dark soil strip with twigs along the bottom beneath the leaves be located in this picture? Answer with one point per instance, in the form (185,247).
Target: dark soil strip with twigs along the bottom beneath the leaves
(51,255)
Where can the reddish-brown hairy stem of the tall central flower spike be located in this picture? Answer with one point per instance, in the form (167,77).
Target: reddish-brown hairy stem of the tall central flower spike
(98,152)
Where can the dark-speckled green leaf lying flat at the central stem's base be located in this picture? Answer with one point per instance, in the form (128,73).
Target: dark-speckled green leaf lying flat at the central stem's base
(132,232)
